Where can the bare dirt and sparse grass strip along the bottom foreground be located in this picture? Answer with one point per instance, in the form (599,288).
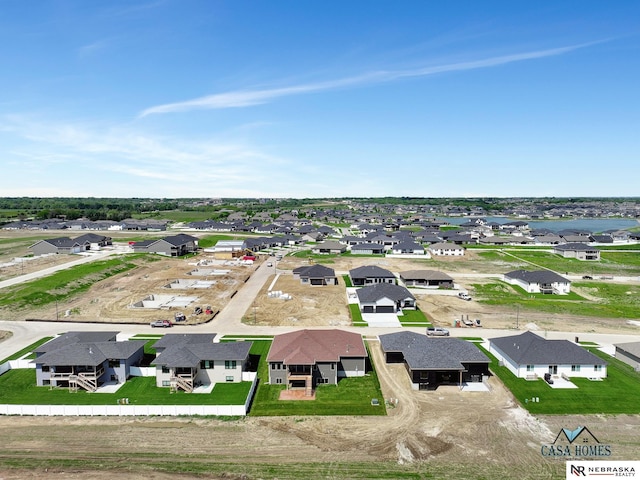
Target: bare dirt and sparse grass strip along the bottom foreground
(450,433)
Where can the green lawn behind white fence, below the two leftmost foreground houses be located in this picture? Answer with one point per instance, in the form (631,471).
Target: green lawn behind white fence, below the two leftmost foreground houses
(19,387)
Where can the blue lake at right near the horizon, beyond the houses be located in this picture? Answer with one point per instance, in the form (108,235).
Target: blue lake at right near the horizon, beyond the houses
(594,225)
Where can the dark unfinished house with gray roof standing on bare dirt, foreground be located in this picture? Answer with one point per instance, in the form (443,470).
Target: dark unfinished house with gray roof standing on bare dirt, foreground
(431,362)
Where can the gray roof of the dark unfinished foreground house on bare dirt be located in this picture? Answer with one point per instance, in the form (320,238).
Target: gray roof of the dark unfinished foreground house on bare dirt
(424,353)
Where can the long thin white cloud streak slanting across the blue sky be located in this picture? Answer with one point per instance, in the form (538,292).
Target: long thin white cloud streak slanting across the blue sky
(246,98)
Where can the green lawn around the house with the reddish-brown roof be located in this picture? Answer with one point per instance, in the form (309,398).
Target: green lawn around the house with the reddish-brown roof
(352,396)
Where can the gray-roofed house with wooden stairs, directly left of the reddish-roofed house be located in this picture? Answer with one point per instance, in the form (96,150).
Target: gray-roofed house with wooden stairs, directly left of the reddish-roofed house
(184,361)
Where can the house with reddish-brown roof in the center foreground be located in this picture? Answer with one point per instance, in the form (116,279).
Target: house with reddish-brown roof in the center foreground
(306,358)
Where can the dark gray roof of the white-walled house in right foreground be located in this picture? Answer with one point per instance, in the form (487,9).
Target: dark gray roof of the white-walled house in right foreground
(530,349)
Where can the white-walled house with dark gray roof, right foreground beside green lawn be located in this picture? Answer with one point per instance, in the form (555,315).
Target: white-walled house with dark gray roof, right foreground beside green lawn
(530,356)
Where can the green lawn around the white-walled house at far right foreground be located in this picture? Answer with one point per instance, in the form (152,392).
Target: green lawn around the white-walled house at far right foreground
(617,394)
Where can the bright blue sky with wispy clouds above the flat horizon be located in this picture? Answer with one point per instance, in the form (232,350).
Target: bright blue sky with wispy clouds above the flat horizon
(284,98)
